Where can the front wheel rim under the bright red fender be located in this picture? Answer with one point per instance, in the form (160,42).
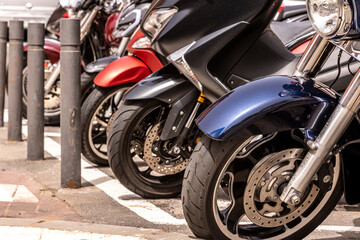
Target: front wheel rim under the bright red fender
(97,131)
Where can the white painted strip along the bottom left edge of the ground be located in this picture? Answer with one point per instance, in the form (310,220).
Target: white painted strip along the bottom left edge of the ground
(28,233)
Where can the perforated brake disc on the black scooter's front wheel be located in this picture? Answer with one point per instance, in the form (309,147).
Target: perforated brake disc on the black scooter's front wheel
(154,161)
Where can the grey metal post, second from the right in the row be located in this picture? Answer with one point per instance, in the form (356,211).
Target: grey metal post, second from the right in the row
(35,86)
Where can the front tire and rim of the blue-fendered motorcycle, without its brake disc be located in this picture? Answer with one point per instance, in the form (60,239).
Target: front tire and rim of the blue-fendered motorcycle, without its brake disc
(215,173)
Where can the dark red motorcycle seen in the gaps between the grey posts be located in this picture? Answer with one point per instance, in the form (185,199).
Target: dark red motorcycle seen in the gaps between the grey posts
(95,25)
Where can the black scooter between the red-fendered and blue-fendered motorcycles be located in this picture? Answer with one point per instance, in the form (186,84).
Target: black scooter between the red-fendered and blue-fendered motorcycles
(153,133)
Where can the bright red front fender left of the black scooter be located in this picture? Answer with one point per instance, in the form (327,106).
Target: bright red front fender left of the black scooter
(127,69)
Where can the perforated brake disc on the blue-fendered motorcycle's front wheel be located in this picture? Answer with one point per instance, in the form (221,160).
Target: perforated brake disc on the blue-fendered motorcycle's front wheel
(268,178)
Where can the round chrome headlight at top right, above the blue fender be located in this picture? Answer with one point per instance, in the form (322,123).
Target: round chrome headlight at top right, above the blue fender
(330,18)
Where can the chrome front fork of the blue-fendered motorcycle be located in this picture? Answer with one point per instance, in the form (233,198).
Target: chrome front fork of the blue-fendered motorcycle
(344,113)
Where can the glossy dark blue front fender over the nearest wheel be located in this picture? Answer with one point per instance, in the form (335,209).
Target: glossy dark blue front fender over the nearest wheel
(269,105)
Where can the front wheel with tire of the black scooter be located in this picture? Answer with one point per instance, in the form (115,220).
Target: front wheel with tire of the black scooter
(139,159)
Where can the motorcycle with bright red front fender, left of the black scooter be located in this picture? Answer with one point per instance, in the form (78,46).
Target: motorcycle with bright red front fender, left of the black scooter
(110,85)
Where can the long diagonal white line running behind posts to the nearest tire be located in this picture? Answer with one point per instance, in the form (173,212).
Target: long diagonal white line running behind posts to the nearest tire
(115,190)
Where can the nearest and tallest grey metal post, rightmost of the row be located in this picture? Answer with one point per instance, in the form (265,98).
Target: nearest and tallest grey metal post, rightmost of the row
(70,103)
